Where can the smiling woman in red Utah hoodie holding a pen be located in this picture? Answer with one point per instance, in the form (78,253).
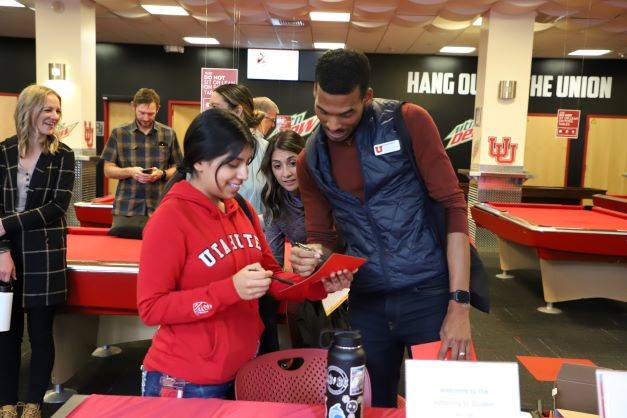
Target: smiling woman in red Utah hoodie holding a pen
(203,267)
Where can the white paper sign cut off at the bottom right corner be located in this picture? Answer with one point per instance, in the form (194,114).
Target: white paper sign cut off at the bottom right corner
(611,390)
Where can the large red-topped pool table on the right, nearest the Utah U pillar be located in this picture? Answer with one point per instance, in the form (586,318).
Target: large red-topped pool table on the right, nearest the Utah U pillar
(580,253)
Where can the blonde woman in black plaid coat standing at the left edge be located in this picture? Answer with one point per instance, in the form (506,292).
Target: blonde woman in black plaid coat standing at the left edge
(37,178)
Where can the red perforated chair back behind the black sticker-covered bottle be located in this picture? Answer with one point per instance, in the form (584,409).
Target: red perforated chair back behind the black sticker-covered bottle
(267,379)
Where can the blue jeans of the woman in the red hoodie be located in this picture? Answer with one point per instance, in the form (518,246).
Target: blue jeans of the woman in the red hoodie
(152,386)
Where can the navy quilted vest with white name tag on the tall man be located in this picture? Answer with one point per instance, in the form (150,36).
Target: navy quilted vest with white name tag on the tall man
(390,229)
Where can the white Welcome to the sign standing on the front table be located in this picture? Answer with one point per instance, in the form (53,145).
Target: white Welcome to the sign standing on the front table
(462,389)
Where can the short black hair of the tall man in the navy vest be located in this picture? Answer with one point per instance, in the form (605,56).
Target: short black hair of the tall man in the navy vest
(339,71)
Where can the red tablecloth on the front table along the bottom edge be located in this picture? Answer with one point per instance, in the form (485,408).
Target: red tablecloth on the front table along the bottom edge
(100,406)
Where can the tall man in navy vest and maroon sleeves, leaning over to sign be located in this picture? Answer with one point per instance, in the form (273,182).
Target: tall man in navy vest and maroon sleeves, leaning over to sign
(355,179)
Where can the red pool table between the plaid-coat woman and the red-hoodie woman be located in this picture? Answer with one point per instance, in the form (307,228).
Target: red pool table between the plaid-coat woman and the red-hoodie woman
(101,308)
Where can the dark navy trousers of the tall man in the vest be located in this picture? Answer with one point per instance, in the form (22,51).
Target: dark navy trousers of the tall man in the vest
(389,324)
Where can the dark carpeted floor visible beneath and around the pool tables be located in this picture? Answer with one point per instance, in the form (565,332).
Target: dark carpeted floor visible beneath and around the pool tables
(594,329)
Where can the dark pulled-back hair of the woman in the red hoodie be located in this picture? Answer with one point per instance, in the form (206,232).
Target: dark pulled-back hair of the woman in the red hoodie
(213,133)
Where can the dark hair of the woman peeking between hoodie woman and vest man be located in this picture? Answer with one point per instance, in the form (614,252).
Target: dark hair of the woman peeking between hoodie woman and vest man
(288,141)
